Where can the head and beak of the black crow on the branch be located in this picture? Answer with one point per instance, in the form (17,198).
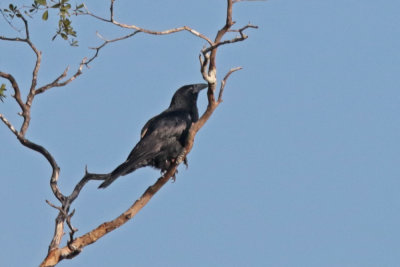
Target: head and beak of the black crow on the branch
(186,96)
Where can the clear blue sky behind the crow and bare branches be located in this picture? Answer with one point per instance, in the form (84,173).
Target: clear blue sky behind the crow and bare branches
(298,167)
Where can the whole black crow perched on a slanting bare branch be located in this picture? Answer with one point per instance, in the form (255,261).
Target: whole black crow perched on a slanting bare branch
(164,136)
